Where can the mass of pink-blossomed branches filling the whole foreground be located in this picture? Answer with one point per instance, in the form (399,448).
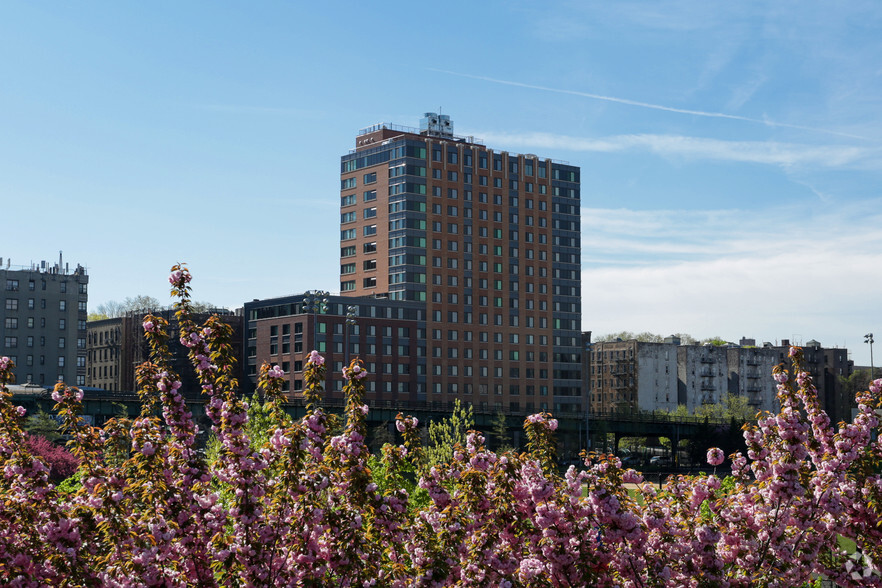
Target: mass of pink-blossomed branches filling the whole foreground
(306,507)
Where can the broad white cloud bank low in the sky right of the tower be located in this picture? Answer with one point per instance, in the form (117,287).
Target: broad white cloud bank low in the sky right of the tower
(762,275)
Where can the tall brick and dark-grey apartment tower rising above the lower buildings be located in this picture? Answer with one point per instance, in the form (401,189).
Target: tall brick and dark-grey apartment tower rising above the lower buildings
(489,241)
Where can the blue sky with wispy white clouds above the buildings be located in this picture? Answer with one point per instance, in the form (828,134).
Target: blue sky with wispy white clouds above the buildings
(731,154)
